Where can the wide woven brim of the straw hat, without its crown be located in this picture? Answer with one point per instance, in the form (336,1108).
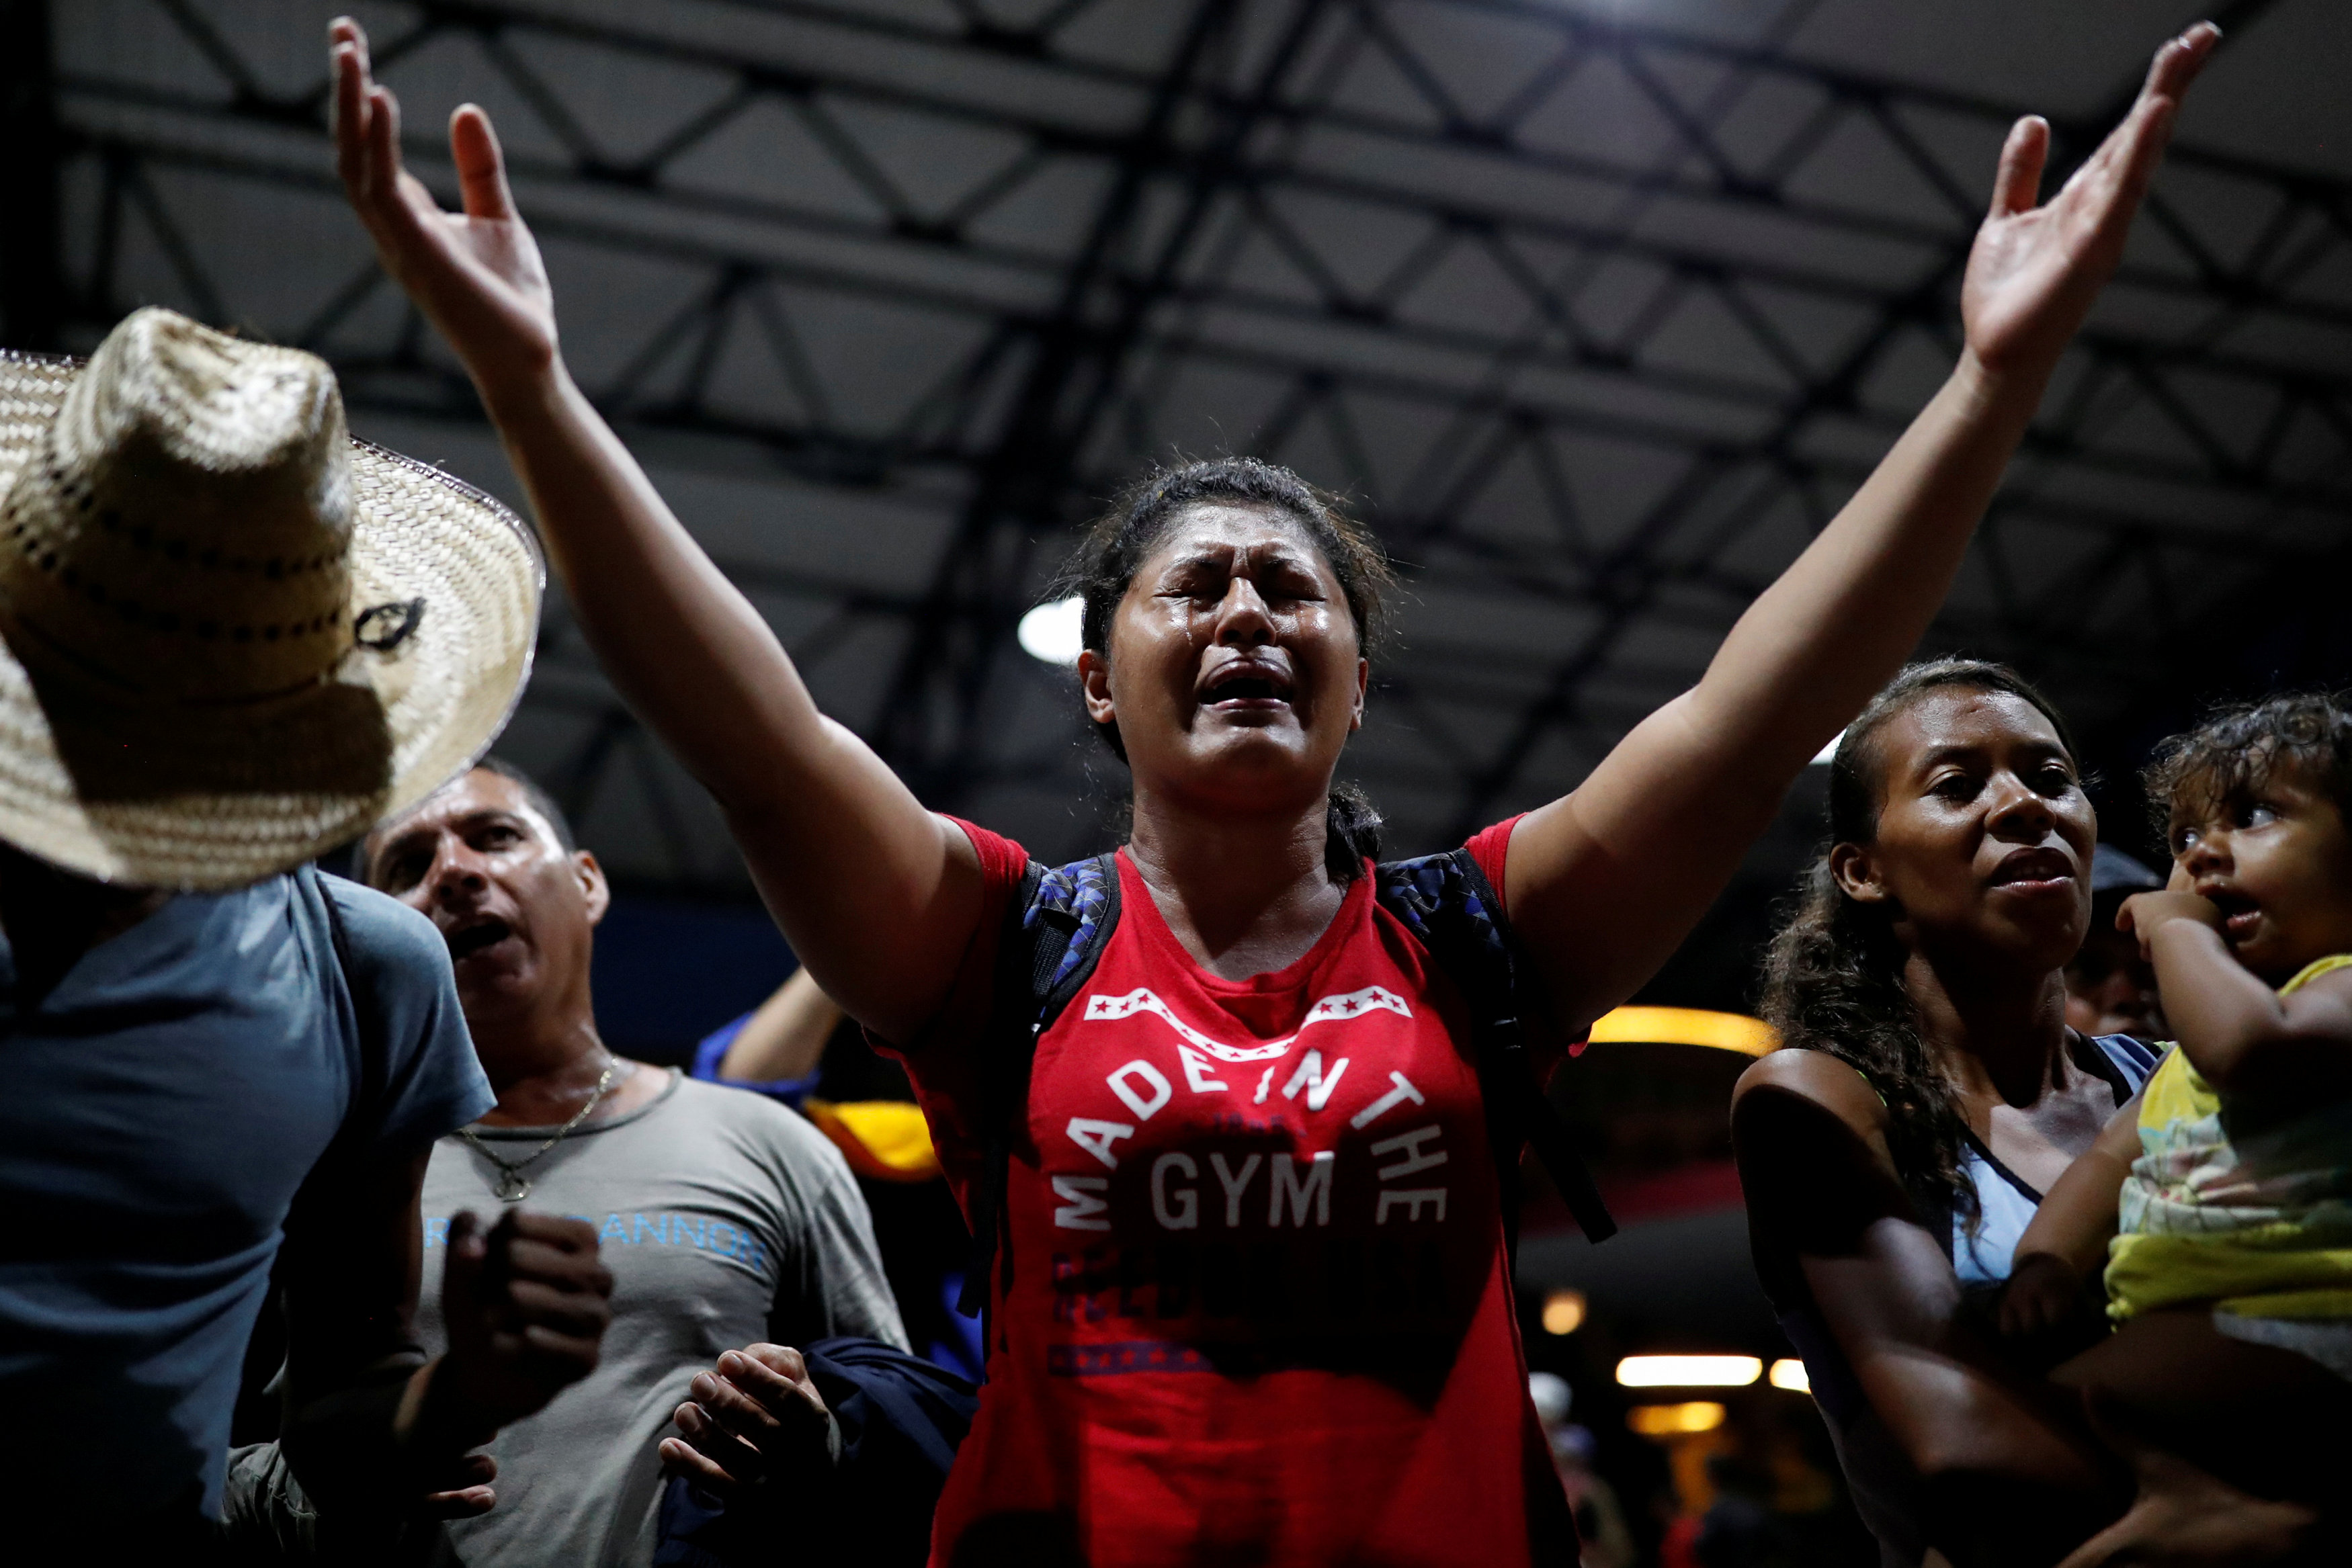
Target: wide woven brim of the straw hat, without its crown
(443,695)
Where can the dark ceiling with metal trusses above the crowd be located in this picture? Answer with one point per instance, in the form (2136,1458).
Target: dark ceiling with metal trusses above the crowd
(1596,309)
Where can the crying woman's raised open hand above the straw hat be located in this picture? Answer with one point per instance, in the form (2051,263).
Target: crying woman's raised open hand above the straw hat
(476,274)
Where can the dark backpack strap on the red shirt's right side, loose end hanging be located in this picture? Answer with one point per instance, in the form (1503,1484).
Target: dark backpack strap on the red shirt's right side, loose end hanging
(1450,906)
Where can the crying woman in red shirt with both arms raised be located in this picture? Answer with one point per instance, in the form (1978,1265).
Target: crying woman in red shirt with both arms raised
(1255,1299)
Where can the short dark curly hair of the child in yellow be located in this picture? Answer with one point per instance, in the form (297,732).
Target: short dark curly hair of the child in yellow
(2240,746)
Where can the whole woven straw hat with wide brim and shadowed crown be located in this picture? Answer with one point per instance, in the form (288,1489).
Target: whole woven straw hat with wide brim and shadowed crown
(234,636)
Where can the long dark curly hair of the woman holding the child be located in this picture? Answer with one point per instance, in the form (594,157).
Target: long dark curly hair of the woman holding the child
(1833,974)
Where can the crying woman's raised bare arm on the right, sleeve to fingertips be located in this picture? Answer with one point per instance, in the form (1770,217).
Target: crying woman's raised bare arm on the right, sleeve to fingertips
(1608,880)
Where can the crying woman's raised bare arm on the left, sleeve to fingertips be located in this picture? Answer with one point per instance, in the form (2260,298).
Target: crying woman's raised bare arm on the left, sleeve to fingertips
(876,894)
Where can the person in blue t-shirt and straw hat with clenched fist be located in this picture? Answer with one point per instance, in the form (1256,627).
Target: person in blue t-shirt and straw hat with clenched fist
(229,641)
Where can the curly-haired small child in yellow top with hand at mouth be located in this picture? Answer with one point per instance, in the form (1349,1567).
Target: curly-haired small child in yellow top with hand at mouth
(2221,1195)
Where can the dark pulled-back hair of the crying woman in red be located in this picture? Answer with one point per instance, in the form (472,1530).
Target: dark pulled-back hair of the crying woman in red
(1132,528)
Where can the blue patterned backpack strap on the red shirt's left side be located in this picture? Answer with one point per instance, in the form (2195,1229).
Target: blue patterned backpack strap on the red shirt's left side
(1055,932)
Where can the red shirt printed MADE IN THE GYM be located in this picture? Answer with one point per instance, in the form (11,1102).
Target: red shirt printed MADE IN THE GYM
(1257,1299)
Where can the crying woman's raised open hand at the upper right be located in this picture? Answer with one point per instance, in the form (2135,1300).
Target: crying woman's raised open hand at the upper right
(2036,272)
